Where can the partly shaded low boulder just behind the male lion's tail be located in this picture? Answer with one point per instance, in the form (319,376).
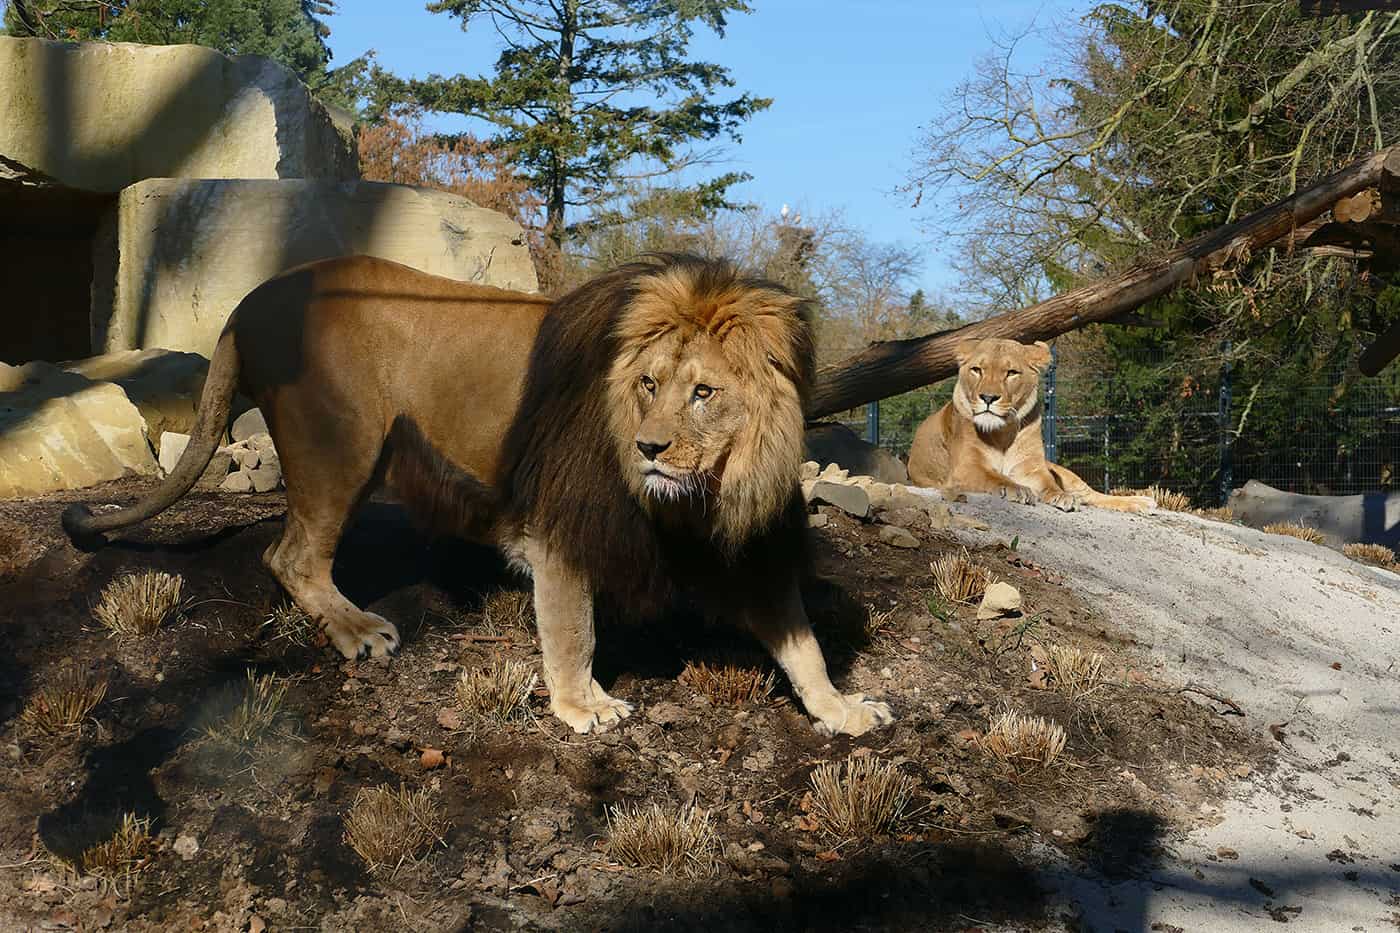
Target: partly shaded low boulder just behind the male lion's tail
(163,385)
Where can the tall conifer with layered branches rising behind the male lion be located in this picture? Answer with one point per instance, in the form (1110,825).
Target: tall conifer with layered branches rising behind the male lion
(589,95)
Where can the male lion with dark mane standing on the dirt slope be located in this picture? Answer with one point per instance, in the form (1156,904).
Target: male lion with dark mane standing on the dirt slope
(639,439)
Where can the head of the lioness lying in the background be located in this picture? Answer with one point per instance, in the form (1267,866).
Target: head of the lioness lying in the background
(999,382)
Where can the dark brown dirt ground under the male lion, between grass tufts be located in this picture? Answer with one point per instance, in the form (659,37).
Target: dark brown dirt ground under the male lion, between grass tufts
(260,831)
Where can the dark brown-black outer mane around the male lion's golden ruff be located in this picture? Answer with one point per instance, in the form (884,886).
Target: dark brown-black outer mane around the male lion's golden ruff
(563,481)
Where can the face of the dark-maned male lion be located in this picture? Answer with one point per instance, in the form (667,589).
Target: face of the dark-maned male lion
(694,407)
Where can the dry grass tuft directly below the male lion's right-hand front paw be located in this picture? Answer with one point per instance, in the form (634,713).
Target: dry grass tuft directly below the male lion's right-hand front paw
(860,798)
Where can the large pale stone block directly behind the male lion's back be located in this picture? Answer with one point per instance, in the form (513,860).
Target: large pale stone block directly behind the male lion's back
(177,256)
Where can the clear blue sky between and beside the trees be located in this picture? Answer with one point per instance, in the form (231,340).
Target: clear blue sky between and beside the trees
(852,83)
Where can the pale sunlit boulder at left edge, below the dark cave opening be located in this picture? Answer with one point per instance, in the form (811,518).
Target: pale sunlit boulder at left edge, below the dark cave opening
(62,431)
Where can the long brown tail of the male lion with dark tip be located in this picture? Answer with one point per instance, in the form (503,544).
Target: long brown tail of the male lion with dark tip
(86,526)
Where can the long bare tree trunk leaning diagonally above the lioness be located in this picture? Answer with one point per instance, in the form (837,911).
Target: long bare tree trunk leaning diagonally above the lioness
(899,366)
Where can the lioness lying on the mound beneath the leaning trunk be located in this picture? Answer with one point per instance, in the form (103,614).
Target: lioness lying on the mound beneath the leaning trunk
(988,439)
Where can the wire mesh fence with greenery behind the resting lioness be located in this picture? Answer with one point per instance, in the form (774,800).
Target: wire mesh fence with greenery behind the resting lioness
(1196,429)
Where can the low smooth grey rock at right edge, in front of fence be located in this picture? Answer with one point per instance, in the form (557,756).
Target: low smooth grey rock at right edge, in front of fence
(1370,518)
